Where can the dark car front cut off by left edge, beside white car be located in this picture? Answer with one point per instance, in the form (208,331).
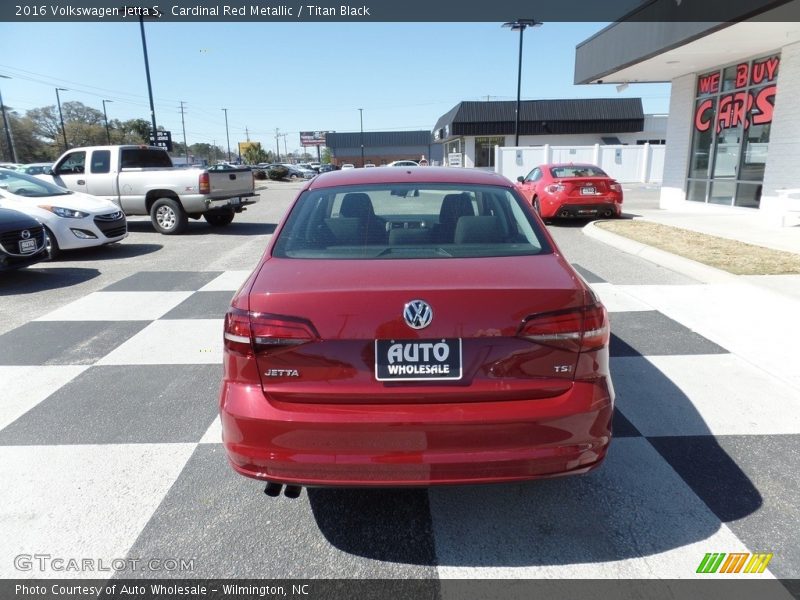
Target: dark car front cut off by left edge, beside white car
(23,241)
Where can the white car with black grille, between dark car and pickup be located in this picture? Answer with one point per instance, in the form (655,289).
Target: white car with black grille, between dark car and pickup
(71,219)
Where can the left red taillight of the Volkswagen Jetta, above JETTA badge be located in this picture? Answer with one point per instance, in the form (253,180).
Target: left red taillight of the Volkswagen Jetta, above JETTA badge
(248,333)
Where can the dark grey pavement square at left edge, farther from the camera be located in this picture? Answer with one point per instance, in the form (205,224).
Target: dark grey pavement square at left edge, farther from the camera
(64,342)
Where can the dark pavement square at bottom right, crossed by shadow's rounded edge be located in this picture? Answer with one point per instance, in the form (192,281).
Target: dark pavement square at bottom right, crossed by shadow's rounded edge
(751,483)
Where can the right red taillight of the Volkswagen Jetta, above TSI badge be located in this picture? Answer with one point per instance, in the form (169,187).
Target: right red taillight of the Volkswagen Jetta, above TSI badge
(577,330)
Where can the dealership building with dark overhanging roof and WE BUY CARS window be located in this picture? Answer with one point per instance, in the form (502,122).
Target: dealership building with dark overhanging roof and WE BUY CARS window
(734,122)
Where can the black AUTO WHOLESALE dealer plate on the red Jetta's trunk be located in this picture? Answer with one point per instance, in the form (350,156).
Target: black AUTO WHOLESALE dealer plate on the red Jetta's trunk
(418,360)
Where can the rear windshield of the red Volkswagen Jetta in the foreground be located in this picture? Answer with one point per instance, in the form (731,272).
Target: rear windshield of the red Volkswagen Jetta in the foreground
(409,221)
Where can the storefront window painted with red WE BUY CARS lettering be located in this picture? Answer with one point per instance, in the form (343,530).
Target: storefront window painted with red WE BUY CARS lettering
(732,120)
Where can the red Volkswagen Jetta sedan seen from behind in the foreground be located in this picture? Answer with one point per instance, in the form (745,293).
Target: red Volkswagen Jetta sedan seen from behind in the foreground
(413,327)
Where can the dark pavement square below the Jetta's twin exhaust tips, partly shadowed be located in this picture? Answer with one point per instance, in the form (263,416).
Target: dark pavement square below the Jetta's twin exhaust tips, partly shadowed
(232,529)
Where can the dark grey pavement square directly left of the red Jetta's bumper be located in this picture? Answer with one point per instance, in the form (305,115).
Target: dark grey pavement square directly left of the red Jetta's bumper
(123,405)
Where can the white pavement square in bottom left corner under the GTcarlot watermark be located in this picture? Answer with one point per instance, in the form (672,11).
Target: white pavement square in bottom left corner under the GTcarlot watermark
(81,501)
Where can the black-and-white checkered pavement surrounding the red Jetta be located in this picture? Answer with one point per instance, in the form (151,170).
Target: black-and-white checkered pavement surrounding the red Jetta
(110,448)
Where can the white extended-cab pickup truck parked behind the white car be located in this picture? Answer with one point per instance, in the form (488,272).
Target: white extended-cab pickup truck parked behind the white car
(141,180)
